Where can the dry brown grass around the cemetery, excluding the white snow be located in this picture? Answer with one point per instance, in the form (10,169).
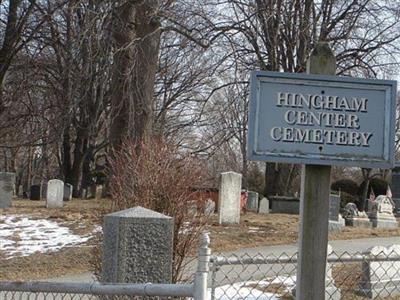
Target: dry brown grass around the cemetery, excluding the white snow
(82,215)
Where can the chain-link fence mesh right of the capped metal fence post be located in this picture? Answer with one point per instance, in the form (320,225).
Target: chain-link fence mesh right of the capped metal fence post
(373,275)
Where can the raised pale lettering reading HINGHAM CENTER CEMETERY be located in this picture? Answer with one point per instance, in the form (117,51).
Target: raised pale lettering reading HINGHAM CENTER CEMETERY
(336,115)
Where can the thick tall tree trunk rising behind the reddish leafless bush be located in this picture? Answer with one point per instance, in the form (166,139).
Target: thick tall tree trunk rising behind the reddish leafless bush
(135,65)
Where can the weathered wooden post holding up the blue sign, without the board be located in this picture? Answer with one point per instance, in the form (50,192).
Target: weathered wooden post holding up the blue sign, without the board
(314,205)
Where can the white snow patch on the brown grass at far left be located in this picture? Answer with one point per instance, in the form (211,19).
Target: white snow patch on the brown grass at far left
(22,236)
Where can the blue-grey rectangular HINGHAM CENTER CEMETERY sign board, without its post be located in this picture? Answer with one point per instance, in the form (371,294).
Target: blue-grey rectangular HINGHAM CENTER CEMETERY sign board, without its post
(323,120)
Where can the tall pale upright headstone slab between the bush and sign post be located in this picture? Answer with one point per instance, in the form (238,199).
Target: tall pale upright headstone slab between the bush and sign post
(229,198)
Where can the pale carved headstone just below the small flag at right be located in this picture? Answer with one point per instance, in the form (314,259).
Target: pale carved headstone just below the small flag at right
(381,213)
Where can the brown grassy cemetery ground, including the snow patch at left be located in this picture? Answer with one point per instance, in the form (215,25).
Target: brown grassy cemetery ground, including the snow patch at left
(72,232)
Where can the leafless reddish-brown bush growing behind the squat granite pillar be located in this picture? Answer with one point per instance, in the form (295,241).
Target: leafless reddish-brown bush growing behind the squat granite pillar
(159,177)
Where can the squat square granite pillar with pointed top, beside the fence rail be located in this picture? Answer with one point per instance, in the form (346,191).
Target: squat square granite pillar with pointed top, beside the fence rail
(137,247)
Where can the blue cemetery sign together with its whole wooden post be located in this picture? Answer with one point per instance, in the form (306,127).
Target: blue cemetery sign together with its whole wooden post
(320,120)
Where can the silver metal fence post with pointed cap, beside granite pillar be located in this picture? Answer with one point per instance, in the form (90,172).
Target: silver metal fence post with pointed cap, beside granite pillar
(201,276)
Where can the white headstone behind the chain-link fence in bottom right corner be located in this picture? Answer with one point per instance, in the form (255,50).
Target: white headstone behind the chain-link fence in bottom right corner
(381,278)
